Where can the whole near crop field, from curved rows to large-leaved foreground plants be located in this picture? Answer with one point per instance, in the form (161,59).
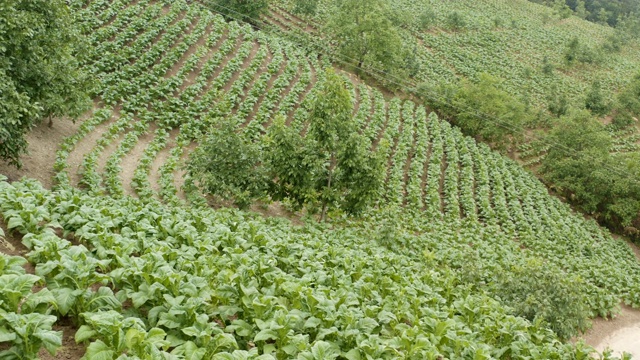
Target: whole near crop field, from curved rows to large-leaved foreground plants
(126,249)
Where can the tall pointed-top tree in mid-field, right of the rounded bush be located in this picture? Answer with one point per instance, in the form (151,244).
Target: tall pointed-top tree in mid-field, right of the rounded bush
(332,166)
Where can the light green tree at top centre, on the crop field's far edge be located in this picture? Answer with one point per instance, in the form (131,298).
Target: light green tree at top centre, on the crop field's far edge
(364,33)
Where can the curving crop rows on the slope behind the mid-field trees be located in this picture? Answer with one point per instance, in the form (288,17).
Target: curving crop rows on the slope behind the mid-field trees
(181,86)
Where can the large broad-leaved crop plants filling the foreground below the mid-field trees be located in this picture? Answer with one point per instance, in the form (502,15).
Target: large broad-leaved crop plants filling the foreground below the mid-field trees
(147,281)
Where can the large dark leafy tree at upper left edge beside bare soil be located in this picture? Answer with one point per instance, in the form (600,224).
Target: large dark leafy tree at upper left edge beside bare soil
(39,73)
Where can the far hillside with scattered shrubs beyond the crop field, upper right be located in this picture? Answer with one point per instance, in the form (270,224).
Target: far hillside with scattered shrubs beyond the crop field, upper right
(460,60)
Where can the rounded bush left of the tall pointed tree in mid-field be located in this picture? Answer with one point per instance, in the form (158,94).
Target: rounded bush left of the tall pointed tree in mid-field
(227,164)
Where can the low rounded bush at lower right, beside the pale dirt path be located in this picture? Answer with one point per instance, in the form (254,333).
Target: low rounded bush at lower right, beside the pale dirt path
(548,296)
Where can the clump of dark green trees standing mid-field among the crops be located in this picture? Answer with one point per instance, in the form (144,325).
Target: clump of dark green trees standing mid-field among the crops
(329,167)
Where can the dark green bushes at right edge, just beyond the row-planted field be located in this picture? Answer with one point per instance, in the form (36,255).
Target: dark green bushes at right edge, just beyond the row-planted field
(580,165)
